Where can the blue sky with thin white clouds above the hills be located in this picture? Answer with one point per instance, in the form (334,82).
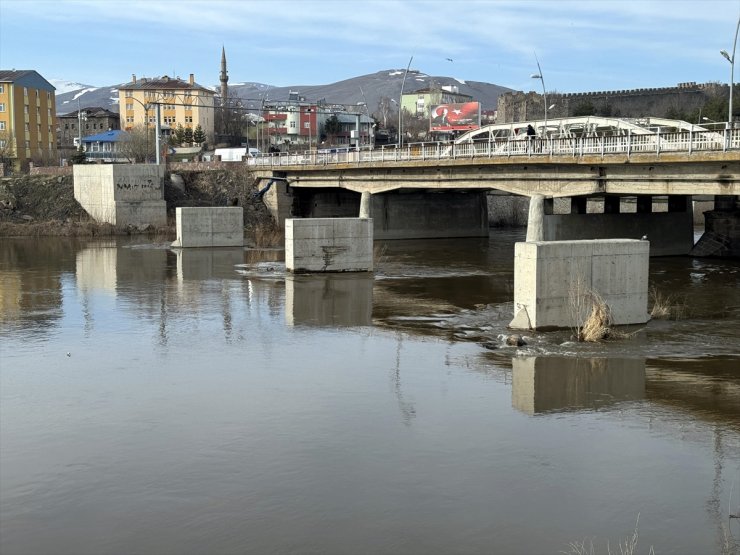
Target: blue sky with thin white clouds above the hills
(584,45)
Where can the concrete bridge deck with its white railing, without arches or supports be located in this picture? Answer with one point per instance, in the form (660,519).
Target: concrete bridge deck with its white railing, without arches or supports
(681,163)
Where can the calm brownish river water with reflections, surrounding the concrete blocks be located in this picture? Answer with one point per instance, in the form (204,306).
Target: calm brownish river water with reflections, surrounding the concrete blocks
(153,402)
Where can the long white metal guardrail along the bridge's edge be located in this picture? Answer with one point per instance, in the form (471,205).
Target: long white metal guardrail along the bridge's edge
(629,144)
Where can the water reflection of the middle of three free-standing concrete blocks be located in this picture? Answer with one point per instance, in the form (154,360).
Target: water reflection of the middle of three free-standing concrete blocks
(329,299)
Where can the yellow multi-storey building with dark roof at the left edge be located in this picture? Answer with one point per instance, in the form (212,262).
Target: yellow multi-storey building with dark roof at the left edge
(27,120)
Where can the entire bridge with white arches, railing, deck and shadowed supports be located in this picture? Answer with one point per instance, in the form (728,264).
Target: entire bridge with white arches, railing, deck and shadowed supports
(615,160)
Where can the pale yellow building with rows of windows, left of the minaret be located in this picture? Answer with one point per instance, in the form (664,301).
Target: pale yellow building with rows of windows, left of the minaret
(181,103)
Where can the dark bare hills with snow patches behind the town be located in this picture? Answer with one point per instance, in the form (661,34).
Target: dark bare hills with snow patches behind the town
(349,91)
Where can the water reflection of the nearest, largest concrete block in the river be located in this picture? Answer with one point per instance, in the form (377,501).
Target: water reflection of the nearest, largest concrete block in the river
(548,384)
